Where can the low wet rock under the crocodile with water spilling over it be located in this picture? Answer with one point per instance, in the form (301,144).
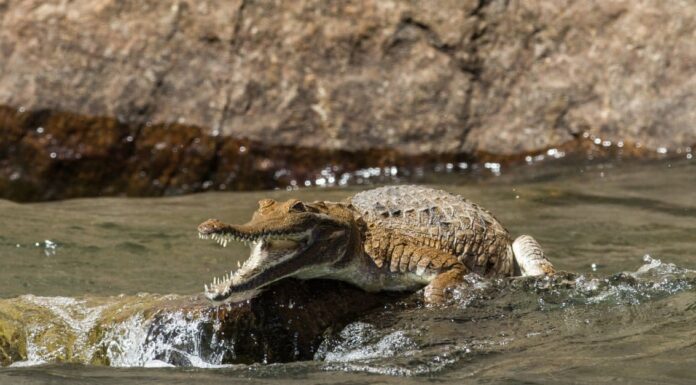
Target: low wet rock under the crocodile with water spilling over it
(284,323)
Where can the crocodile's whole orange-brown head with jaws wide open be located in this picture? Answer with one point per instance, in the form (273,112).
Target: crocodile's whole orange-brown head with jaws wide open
(286,239)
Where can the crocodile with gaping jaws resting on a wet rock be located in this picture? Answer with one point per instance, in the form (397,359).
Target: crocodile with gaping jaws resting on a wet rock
(395,238)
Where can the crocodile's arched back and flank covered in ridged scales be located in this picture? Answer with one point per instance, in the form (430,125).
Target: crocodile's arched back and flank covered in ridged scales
(422,216)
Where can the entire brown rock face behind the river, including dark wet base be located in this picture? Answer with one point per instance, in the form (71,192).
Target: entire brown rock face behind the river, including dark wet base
(176,90)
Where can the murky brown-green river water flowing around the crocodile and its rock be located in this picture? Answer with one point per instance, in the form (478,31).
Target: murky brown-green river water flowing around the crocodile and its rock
(627,230)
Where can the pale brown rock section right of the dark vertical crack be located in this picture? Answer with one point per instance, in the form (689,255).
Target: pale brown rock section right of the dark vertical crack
(551,70)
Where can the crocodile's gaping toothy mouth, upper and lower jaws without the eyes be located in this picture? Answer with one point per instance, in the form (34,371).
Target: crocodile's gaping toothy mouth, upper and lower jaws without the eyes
(271,253)
